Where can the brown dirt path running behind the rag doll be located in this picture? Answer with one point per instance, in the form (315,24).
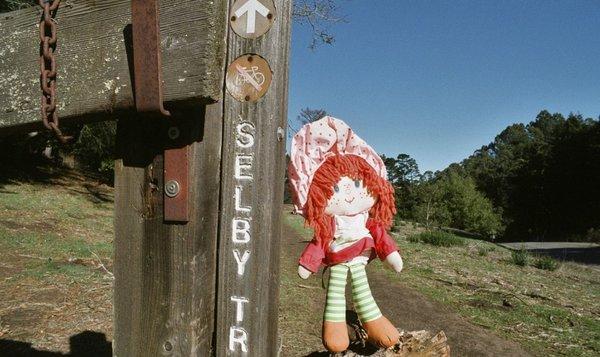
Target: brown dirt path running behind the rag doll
(405,307)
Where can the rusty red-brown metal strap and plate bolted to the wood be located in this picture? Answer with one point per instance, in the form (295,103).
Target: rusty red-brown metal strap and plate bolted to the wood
(149,100)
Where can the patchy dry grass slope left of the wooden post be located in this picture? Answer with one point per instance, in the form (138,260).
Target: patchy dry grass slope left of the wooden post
(56,244)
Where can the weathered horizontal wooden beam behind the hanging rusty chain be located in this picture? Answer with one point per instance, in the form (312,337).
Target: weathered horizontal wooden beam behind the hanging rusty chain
(92,58)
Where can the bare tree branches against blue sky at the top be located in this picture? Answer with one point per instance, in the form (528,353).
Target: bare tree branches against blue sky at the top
(319,15)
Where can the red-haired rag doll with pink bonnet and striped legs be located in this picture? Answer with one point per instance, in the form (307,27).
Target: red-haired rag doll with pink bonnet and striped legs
(340,186)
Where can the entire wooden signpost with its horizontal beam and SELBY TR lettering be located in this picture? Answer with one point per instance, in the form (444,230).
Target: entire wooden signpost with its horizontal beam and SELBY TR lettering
(208,285)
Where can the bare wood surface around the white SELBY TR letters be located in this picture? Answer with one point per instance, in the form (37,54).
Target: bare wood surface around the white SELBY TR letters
(260,282)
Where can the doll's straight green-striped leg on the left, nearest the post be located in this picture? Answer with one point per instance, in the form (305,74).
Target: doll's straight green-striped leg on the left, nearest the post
(335,332)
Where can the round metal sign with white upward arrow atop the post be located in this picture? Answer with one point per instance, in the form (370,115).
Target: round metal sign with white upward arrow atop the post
(252,18)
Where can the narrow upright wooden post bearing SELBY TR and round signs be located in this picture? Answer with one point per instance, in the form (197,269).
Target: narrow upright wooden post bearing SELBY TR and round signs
(253,167)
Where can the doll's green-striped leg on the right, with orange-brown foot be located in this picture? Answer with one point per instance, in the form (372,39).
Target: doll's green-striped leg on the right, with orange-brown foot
(380,330)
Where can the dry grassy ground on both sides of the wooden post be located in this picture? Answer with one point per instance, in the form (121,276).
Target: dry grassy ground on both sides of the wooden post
(53,237)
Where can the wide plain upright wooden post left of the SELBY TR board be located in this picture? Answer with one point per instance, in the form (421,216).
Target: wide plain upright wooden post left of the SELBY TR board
(165,274)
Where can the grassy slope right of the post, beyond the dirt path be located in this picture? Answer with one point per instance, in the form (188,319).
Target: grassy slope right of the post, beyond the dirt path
(549,313)
